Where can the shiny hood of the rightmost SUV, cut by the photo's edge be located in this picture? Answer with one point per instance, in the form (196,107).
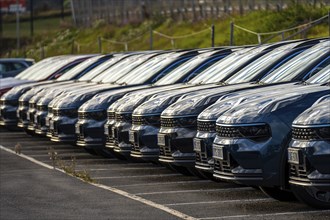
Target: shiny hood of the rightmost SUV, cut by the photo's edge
(318,114)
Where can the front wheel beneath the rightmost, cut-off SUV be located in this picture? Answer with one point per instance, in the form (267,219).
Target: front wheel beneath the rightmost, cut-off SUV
(312,196)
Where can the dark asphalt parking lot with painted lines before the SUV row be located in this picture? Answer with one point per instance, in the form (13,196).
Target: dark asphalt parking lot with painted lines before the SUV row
(120,189)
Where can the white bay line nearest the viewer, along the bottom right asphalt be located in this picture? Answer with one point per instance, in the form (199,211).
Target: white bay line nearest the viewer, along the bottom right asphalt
(273,215)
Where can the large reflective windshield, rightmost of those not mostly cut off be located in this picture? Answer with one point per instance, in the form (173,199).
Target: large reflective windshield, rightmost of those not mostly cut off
(290,70)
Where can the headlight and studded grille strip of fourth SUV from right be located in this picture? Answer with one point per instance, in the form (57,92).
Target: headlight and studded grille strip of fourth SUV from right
(182,122)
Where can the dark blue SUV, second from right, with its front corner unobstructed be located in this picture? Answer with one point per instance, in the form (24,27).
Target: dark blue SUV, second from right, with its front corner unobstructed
(252,139)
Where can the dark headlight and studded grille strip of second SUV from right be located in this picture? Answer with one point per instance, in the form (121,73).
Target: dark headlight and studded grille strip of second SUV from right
(255,132)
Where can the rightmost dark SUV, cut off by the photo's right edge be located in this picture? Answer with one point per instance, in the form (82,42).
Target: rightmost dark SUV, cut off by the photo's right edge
(309,155)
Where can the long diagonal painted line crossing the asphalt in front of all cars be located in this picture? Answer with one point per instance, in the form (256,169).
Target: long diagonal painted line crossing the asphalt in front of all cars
(114,190)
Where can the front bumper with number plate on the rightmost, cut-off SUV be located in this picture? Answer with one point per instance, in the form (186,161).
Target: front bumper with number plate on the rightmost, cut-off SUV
(310,164)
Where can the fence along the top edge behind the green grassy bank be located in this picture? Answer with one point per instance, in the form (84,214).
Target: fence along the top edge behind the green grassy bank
(86,12)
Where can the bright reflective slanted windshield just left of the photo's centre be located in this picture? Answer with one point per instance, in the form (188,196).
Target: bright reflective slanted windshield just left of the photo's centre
(148,69)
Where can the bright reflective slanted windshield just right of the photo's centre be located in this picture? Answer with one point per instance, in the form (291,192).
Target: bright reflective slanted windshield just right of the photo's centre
(186,67)
